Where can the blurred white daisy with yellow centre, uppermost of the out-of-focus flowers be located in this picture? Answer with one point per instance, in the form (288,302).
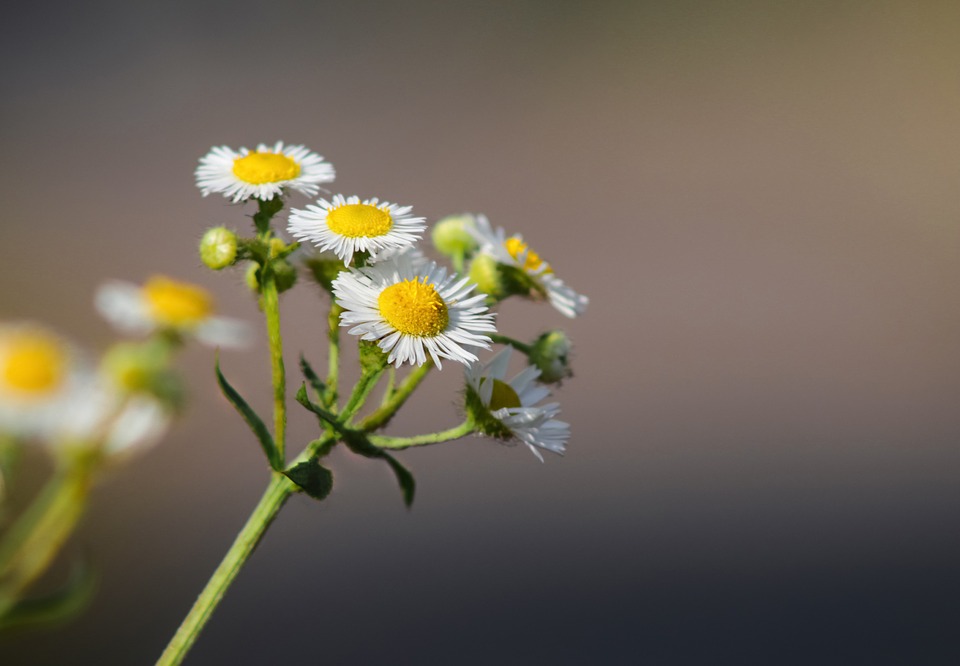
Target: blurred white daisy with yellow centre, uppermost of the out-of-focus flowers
(168,305)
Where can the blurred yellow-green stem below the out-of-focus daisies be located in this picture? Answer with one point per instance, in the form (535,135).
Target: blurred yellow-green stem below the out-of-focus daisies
(39,534)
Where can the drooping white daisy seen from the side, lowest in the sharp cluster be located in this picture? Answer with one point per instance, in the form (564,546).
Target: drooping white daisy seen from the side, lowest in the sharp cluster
(507,409)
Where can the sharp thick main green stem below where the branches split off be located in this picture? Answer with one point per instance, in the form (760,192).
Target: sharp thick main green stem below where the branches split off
(273,499)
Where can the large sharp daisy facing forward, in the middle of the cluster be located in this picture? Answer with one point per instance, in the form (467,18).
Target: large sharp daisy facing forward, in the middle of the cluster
(412,312)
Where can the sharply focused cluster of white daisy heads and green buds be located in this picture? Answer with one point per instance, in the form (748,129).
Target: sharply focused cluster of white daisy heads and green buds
(415,311)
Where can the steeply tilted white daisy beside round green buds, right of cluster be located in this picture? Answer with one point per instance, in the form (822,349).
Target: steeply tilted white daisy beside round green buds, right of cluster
(513,251)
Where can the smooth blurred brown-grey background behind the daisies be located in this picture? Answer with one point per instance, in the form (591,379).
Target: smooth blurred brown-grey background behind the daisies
(760,199)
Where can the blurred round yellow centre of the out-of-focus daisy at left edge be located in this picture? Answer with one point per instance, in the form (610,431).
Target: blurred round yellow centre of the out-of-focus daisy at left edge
(33,364)
